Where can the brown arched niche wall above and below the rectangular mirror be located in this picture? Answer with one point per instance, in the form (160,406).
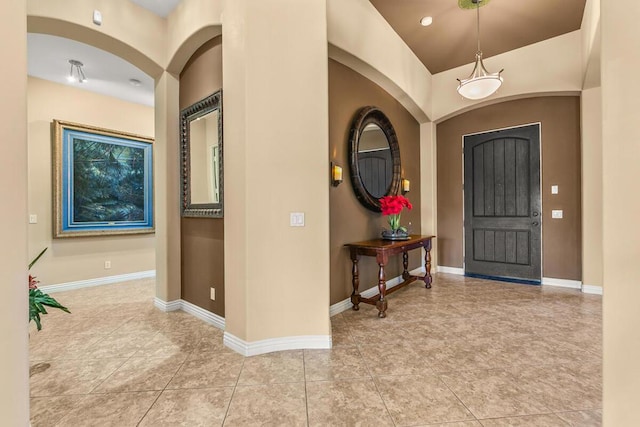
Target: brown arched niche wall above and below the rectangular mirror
(202,239)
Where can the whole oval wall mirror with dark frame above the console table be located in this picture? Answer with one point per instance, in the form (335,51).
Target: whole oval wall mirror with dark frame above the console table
(374,157)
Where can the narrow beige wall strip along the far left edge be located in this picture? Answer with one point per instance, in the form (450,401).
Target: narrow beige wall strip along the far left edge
(14,357)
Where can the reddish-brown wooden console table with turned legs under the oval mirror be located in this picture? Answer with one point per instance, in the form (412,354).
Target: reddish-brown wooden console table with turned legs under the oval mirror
(382,249)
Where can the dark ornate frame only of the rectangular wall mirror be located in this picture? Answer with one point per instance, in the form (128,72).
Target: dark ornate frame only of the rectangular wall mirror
(200,210)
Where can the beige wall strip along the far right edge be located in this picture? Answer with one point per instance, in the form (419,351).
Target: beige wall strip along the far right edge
(621,205)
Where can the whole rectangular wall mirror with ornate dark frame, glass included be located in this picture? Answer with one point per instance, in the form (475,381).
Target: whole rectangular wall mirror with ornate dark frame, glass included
(201,158)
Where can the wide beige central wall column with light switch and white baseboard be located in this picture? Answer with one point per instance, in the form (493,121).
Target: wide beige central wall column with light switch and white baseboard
(276,162)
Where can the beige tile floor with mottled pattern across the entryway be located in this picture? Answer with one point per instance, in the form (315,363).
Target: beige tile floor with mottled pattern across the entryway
(467,352)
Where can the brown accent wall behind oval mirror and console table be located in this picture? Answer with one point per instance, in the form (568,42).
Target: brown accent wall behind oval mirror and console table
(350,221)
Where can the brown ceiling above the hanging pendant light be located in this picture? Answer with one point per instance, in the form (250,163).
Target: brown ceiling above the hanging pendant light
(505,25)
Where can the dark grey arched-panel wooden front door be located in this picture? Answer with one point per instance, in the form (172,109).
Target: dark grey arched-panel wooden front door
(502,203)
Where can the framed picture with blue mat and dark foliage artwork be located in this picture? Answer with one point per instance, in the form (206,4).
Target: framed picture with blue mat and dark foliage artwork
(103,181)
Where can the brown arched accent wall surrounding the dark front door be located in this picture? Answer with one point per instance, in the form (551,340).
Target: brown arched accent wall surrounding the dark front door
(560,146)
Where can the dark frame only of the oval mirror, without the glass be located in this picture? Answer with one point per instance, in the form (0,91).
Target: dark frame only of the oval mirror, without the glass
(366,116)
